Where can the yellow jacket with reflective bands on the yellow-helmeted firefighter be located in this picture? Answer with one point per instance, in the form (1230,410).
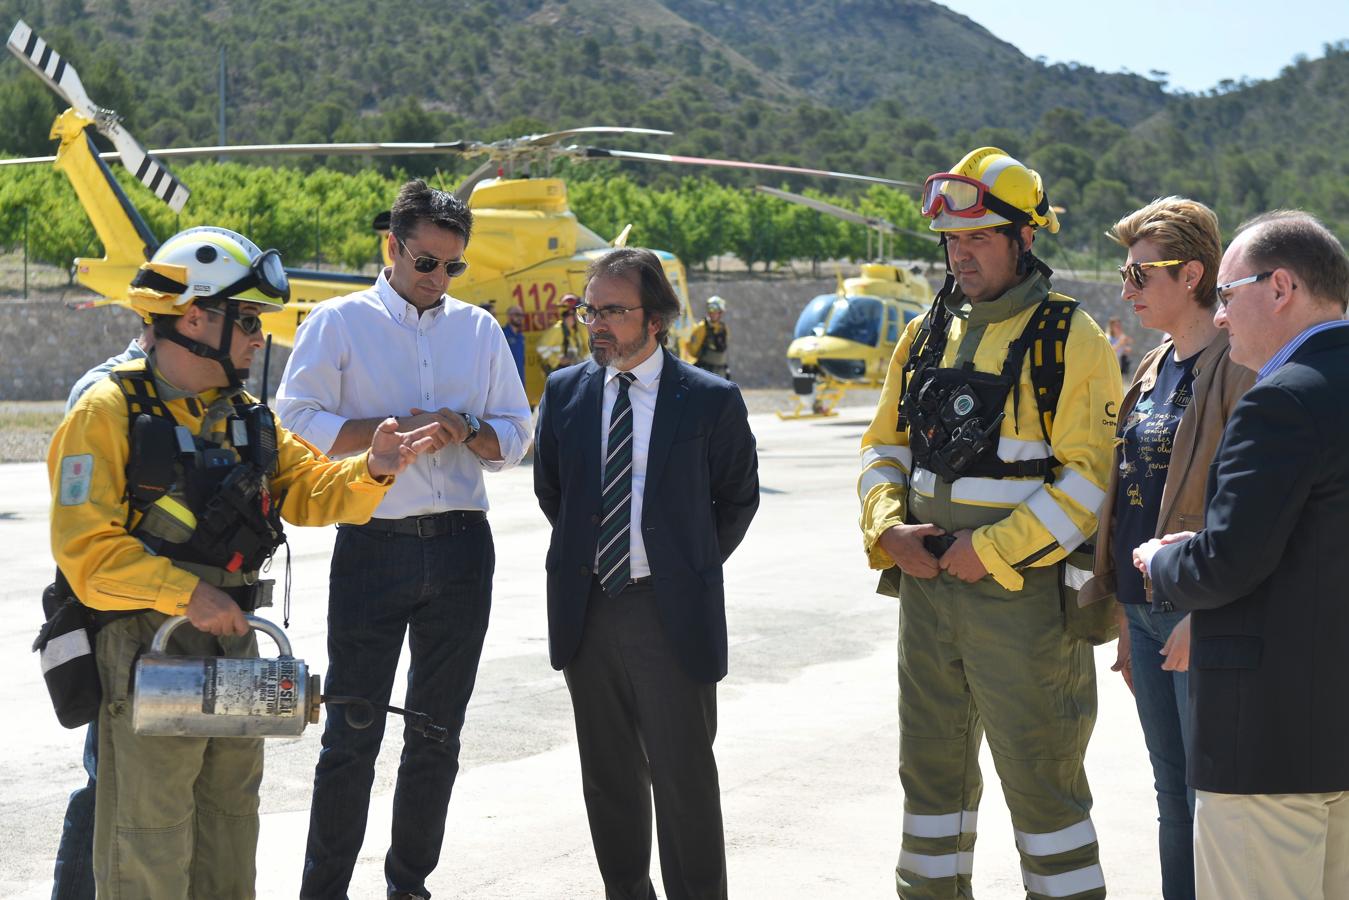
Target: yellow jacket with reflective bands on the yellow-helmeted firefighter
(1043,522)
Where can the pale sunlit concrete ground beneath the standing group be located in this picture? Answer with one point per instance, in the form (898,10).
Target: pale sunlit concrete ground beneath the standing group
(807,743)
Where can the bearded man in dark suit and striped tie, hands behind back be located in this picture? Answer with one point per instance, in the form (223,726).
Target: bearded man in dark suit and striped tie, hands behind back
(648,473)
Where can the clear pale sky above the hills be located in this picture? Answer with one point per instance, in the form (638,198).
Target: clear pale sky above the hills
(1199,44)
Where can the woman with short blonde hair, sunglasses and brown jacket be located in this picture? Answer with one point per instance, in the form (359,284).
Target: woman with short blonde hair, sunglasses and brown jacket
(1170,424)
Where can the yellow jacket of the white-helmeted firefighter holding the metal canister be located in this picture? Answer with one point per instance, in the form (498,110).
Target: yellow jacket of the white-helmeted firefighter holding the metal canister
(87,465)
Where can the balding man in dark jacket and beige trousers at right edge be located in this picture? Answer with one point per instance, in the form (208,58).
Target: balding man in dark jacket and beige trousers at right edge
(1269,581)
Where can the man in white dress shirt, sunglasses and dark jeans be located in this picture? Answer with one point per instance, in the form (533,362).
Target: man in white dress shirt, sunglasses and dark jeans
(424,565)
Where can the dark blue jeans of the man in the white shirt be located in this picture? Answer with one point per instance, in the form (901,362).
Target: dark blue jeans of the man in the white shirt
(438,592)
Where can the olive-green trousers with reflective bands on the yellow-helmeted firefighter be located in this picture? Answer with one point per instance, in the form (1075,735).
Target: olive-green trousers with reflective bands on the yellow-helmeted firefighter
(977,659)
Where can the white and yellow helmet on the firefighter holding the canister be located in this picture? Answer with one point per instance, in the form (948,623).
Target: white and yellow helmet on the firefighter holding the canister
(208,264)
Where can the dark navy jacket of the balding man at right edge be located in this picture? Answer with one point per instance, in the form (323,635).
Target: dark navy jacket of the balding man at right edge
(1269,580)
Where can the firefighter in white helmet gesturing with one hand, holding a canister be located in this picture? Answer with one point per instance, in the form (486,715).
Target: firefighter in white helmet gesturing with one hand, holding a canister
(169,485)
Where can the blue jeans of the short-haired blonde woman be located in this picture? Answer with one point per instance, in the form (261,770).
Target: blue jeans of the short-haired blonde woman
(1164,700)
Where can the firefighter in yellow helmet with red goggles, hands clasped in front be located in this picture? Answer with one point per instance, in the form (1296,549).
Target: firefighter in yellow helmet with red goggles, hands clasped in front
(983,472)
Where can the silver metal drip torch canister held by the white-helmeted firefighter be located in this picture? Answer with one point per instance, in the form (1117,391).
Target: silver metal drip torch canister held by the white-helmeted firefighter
(225,697)
